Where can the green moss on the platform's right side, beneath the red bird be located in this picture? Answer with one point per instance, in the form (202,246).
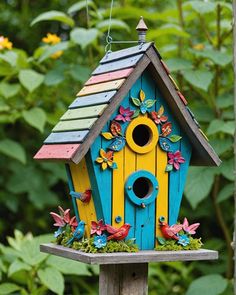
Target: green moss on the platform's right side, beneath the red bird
(172,245)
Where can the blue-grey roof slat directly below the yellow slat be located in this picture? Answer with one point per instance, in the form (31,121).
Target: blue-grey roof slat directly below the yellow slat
(93,99)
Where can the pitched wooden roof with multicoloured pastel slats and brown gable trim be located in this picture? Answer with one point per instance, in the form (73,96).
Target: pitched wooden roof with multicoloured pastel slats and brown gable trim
(77,129)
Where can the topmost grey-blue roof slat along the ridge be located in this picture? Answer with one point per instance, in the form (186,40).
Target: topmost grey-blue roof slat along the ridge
(120,54)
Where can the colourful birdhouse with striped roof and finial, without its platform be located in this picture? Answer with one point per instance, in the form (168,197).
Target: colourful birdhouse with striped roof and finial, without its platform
(127,140)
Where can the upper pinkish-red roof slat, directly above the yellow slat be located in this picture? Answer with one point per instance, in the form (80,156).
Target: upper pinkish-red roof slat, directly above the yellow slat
(109,76)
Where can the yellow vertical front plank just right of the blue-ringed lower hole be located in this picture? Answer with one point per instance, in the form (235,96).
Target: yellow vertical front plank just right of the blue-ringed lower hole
(162,198)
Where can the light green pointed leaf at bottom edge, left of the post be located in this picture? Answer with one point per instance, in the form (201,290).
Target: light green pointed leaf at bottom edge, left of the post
(52,279)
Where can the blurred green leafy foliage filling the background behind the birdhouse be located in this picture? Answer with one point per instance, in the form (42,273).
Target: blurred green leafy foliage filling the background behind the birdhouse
(195,40)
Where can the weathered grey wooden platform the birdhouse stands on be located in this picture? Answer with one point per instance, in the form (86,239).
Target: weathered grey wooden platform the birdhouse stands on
(123,257)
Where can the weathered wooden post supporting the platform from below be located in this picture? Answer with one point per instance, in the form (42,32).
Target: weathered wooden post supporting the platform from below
(123,279)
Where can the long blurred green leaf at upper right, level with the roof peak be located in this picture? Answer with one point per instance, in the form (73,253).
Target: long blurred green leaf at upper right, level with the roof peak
(218,57)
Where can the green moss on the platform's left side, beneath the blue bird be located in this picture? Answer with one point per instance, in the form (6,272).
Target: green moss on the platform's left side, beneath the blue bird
(86,245)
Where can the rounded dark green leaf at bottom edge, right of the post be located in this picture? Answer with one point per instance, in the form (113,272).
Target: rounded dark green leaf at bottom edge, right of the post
(214,284)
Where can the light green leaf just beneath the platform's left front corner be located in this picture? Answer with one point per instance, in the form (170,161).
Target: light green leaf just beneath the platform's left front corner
(68,267)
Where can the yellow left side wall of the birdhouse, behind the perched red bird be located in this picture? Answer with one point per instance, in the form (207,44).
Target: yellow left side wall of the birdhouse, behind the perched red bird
(81,183)
